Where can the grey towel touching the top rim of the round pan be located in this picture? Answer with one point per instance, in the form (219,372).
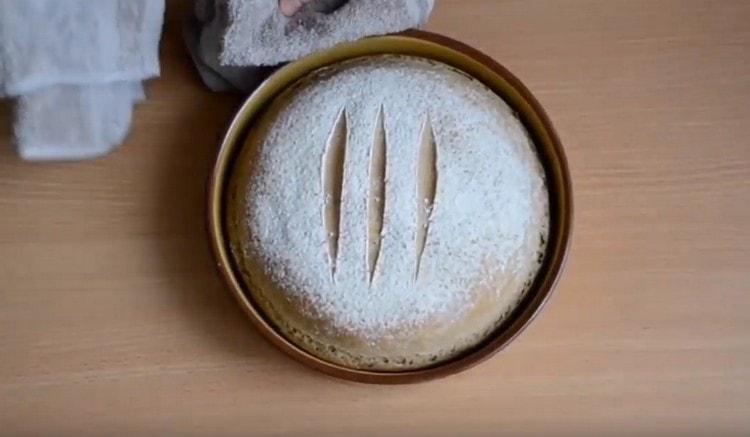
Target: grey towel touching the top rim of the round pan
(231,39)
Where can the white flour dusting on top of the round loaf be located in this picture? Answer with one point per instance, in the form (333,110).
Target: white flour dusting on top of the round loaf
(490,207)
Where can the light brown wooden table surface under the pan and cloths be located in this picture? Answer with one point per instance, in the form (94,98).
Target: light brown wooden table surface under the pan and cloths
(113,320)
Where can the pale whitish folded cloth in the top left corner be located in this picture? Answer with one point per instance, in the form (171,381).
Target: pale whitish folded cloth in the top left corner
(75,67)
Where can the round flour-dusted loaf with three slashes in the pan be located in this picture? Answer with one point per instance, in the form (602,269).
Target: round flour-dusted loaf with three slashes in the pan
(387,213)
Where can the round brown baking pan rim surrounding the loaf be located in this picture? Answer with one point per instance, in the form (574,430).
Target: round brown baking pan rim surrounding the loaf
(471,62)
